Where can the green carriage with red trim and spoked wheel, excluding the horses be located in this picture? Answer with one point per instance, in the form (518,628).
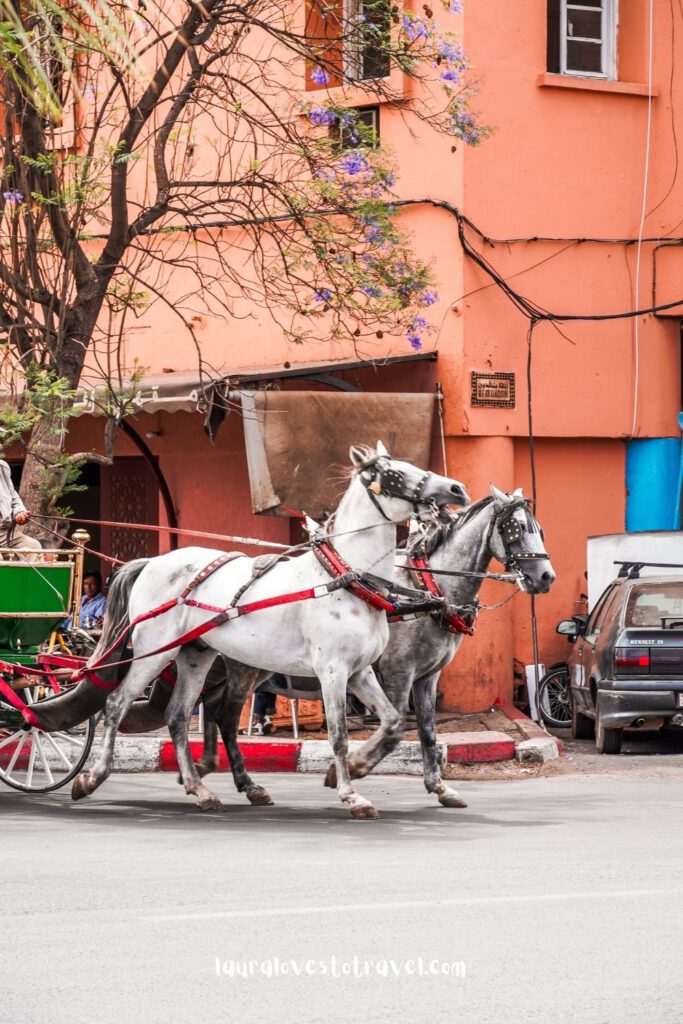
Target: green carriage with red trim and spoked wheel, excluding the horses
(37,594)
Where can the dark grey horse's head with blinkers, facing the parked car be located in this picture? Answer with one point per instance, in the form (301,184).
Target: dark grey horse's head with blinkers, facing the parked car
(517,540)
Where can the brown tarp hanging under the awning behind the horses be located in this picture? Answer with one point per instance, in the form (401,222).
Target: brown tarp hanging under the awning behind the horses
(297,442)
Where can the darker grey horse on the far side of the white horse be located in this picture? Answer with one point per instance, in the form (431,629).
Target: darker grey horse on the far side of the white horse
(502,528)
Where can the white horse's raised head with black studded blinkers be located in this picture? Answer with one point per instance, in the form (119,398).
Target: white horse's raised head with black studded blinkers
(400,490)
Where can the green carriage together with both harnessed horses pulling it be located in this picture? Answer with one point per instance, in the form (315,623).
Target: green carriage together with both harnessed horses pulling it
(155,661)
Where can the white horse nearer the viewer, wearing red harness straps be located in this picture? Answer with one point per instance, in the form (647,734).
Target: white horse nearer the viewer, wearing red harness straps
(335,638)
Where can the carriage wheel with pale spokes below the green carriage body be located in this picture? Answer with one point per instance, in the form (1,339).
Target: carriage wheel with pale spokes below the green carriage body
(35,761)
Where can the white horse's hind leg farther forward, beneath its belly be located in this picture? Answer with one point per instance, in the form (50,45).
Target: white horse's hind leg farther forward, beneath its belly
(193,667)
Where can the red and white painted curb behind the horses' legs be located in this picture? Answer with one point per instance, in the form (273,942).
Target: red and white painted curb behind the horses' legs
(139,754)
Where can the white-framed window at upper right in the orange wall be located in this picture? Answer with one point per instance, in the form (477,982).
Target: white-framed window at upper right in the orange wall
(582,38)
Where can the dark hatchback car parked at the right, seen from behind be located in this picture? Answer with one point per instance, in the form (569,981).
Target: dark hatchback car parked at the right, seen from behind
(626,669)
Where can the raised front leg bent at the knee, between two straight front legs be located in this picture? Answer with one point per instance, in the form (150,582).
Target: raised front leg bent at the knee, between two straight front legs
(391,702)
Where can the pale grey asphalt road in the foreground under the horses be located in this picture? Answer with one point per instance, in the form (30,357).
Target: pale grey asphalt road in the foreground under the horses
(549,900)
